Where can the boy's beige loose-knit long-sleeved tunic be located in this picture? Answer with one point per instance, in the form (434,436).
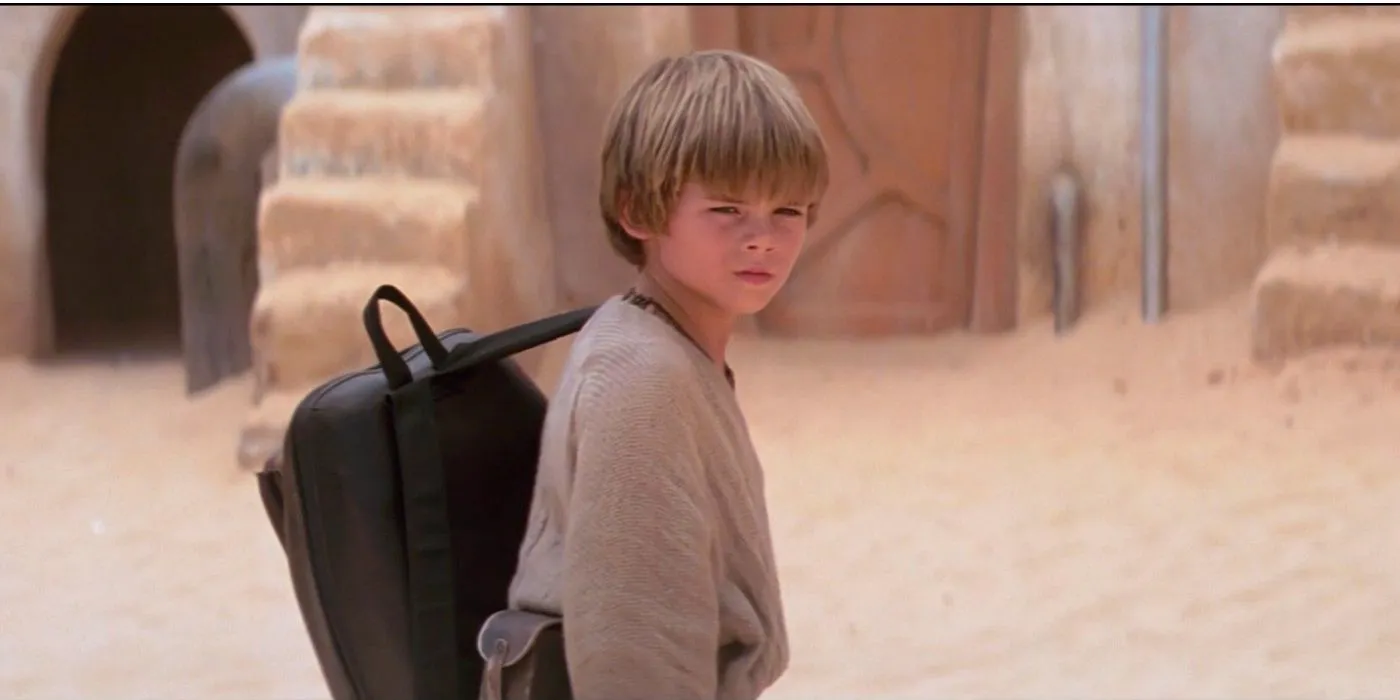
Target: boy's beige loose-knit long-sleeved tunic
(650,531)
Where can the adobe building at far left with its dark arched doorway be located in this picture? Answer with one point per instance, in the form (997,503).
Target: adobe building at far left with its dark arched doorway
(93,101)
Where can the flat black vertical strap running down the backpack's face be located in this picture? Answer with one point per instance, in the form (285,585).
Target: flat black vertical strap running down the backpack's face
(437,674)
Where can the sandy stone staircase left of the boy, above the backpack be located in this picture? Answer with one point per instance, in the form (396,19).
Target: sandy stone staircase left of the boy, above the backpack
(400,114)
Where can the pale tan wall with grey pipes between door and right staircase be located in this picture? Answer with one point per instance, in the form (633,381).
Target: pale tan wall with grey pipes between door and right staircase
(1081,106)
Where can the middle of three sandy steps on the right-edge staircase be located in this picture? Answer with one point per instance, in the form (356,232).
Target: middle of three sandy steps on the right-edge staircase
(1335,190)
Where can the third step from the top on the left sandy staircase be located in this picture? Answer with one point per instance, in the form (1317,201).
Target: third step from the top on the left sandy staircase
(314,222)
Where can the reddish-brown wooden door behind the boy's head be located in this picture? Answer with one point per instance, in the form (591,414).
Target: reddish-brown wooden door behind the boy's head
(898,94)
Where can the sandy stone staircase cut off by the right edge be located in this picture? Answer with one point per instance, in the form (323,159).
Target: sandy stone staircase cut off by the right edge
(1333,211)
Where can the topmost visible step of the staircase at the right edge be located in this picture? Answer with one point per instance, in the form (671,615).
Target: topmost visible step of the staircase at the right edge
(1340,75)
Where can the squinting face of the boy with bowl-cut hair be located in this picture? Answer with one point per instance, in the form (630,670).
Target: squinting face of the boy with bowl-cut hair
(736,254)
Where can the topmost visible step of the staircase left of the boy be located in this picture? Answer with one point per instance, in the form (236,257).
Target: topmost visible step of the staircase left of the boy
(398,48)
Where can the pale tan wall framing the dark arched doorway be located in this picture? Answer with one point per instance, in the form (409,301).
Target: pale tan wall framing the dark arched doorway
(31,38)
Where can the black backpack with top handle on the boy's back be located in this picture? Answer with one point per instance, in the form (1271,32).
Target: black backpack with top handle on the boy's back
(401,502)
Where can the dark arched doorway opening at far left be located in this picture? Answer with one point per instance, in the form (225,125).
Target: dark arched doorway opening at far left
(125,85)
